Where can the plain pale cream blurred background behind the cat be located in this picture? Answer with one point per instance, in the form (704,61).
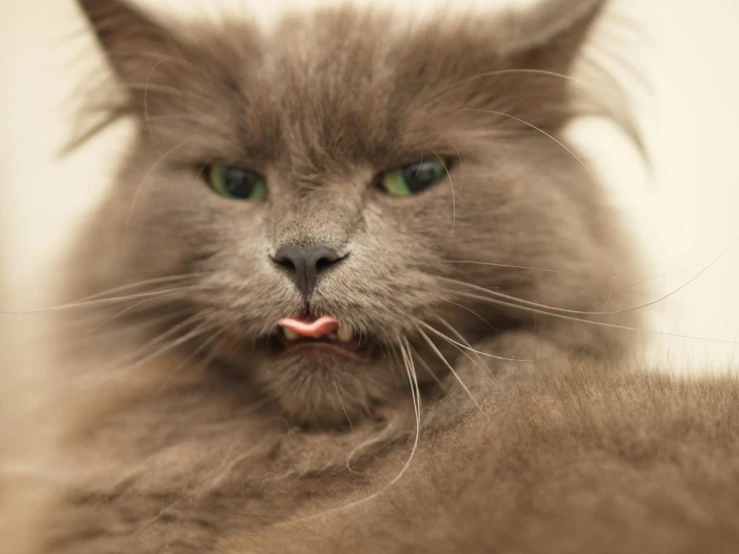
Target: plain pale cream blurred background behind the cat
(685,212)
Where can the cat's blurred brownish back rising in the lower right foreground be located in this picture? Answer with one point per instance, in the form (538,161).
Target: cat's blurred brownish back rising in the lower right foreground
(575,463)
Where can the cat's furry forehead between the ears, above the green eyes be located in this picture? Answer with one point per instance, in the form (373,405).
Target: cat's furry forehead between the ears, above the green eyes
(353,86)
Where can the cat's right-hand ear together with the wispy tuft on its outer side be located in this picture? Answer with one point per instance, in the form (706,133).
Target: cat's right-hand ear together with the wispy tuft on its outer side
(547,40)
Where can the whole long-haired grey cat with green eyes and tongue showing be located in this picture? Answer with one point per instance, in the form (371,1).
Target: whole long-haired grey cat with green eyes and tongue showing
(352,289)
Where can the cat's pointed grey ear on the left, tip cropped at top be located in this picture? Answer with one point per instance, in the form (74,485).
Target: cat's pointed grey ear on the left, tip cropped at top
(133,42)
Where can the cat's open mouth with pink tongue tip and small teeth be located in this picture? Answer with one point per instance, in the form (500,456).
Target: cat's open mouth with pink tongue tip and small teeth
(319,338)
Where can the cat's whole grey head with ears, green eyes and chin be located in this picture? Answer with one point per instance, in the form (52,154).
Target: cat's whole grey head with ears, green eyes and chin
(358,168)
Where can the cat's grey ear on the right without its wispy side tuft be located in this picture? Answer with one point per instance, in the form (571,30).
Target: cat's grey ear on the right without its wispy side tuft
(550,34)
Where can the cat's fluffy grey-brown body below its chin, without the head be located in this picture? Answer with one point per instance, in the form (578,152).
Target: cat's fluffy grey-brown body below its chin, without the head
(574,459)
